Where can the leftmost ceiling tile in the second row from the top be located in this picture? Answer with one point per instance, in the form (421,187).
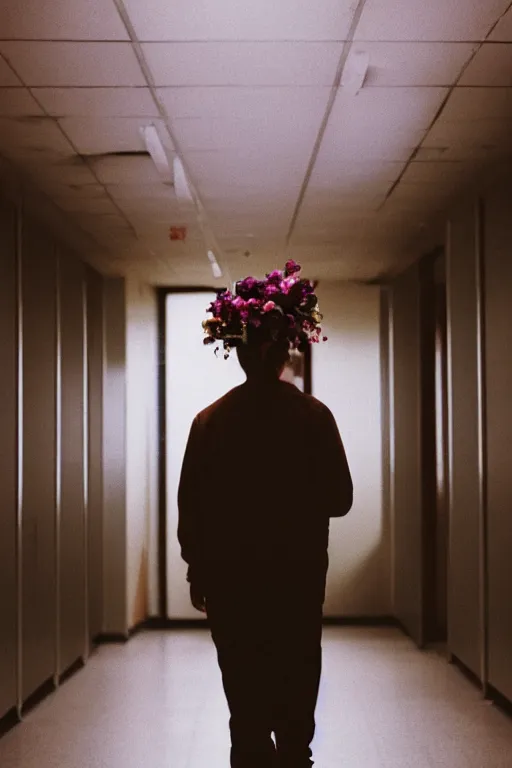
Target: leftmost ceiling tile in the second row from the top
(74,64)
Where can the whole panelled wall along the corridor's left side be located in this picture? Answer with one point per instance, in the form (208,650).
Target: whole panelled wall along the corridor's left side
(59,373)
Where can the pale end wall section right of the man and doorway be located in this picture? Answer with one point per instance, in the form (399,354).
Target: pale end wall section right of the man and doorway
(347,378)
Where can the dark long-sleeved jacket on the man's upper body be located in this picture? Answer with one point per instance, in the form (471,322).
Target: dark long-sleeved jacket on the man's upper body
(263,472)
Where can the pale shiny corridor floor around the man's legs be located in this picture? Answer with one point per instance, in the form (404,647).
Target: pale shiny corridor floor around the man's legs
(158,702)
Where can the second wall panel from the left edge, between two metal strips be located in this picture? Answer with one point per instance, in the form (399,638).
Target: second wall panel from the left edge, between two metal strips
(39,520)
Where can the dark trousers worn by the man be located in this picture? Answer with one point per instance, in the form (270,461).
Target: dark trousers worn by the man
(267,630)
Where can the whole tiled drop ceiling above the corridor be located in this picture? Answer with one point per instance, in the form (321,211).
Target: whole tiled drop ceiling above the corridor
(285,160)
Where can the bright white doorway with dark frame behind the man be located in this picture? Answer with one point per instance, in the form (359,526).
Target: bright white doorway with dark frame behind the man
(191,377)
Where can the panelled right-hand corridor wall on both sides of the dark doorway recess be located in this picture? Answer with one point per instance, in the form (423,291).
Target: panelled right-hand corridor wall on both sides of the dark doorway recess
(479,286)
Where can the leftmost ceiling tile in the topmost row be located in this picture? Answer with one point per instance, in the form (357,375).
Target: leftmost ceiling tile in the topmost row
(61,20)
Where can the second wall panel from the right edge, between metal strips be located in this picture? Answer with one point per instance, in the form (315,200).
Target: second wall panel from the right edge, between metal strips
(465,629)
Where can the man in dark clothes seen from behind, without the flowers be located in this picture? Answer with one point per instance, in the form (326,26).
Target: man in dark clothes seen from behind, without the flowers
(264,471)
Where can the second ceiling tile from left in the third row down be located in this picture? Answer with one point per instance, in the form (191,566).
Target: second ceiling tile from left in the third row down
(97,102)
